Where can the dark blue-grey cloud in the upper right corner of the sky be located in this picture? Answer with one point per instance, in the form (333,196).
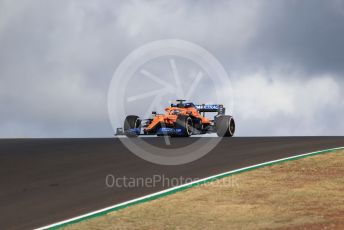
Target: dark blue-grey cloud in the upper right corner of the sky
(307,34)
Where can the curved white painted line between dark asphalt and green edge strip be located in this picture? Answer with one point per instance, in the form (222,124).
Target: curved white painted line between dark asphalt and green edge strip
(180,186)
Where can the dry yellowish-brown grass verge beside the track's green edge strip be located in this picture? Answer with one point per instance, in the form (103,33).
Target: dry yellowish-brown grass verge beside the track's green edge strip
(303,194)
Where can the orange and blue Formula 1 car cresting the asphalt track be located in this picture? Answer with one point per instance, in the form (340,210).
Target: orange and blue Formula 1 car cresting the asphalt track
(182,119)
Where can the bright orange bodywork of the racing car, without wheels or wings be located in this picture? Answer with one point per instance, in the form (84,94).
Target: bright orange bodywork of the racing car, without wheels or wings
(170,117)
